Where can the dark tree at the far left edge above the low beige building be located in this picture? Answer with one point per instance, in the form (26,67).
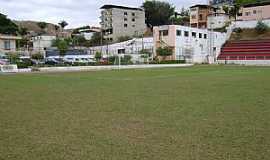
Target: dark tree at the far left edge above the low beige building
(7,26)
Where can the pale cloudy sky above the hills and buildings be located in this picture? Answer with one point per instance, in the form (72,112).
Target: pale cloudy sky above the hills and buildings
(76,12)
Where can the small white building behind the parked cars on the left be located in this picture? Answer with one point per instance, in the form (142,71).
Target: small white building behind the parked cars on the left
(40,43)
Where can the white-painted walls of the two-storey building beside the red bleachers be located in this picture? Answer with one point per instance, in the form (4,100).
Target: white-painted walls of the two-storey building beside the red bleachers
(196,49)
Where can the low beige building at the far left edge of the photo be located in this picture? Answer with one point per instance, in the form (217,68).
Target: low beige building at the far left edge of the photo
(8,43)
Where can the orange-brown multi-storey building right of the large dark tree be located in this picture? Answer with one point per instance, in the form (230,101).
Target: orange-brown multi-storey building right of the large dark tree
(198,15)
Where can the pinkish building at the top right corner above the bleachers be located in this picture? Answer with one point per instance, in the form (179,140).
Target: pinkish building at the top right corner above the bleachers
(256,11)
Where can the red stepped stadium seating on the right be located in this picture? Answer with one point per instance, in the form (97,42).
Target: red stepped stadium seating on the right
(246,50)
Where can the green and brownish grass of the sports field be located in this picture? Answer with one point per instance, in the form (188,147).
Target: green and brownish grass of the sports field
(198,113)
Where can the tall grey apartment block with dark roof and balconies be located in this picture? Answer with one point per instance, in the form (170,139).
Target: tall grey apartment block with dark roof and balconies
(119,21)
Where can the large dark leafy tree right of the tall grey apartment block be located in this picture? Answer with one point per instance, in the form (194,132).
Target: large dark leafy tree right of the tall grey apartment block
(158,12)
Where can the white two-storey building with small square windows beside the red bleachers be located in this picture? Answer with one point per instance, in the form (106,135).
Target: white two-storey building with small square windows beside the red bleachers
(191,44)
